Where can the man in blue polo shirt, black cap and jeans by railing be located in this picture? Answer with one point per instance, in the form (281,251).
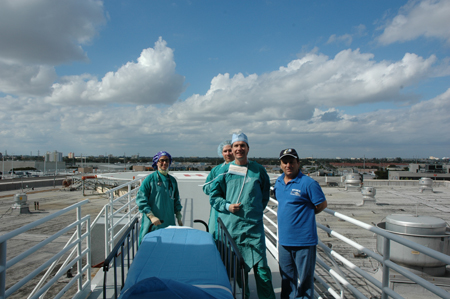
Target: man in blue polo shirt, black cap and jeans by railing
(300,198)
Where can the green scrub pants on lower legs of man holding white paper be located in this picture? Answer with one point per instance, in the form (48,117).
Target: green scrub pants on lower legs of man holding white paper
(263,278)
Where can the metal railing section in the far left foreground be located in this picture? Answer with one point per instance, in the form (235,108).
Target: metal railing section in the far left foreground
(82,255)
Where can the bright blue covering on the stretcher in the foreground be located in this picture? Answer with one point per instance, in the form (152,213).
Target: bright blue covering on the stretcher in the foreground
(177,263)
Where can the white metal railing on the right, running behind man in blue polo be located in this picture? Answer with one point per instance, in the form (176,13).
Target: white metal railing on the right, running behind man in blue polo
(336,273)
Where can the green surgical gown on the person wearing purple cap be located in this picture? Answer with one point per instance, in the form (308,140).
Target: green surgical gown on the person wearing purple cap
(162,199)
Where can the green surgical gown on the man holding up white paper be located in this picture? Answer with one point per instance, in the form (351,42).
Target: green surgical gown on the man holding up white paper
(246,226)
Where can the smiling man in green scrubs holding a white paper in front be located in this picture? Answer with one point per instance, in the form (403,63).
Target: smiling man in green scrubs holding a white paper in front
(241,195)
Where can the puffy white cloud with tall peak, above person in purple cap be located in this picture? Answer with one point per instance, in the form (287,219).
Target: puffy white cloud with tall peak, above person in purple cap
(150,80)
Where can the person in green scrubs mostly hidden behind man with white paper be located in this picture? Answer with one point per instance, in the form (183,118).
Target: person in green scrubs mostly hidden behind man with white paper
(224,150)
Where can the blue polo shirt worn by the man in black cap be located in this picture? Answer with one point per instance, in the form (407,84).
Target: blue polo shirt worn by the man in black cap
(296,210)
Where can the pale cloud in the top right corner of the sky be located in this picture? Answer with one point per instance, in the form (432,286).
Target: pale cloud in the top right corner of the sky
(428,18)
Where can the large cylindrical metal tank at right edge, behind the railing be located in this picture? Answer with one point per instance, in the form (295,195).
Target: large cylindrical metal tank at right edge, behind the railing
(427,231)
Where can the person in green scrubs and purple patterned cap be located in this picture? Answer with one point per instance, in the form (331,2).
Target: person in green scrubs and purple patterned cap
(158,197)
